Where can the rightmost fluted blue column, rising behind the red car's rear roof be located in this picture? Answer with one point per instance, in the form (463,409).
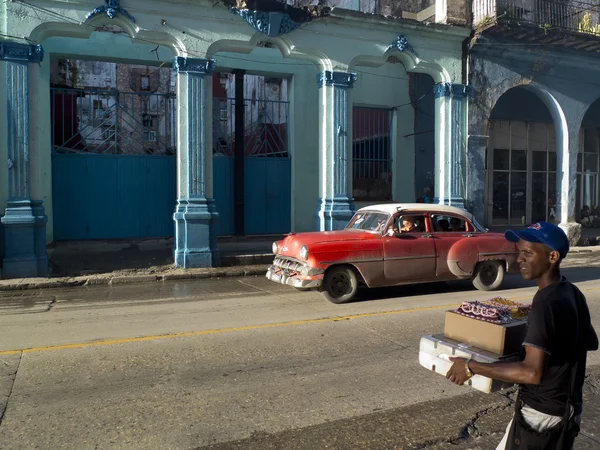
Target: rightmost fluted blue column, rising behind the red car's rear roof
(451,171)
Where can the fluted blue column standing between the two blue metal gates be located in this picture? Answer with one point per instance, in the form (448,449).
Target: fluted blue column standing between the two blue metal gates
(195,213)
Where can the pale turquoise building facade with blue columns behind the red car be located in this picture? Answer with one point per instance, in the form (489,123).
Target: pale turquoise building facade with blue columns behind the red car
(340,105)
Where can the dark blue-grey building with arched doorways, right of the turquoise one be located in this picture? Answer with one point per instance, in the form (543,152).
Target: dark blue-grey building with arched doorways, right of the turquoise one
(534,113)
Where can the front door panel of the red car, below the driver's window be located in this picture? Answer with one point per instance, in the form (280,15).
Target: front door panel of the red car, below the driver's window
(409,257)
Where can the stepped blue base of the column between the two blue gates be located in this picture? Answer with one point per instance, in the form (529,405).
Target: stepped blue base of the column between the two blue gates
(195,242)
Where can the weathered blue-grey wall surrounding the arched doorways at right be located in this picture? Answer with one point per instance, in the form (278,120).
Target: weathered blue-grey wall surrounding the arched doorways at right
(567,84)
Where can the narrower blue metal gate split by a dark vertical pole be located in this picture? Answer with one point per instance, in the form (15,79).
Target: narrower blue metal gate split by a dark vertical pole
(267,166)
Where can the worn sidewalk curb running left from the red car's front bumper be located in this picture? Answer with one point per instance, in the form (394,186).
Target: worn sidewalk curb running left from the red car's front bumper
(114,279)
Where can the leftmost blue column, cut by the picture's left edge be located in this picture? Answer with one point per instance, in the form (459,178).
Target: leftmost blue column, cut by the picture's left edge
(24,220)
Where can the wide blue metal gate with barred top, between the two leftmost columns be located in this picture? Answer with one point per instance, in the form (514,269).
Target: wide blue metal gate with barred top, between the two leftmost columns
(113,162)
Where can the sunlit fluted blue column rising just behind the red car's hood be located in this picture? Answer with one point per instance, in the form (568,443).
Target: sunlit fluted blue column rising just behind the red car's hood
(336,205)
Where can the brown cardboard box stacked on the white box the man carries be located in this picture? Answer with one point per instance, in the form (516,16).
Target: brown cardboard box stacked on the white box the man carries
(500,339)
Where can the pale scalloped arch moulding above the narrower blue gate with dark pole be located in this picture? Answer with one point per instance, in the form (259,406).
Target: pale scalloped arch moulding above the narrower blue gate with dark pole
(285,46)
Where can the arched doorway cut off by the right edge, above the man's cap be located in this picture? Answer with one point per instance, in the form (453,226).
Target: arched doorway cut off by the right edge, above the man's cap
(588,160)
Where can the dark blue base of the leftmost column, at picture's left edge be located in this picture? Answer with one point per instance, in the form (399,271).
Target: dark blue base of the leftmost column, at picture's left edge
(25,253)
